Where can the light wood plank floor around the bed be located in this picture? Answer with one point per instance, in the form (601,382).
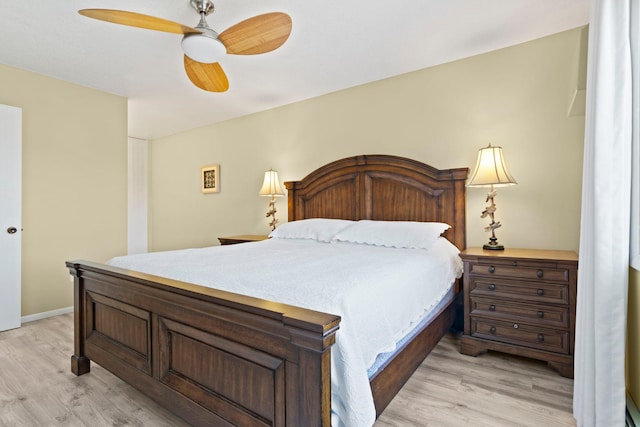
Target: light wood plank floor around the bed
(449,389)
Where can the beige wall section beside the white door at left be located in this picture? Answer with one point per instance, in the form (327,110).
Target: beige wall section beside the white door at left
(74,173)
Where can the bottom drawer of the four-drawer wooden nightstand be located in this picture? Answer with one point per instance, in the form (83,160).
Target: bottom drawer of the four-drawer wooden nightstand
(522,335)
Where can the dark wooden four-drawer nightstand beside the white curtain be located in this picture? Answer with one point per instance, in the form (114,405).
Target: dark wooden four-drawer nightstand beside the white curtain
(522,302)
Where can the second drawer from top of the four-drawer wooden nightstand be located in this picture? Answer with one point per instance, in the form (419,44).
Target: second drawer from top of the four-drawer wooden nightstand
(537,292)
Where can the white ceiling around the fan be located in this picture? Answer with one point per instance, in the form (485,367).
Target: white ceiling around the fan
(334,44)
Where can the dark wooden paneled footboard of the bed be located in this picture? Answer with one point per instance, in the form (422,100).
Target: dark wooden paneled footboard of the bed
(214,358)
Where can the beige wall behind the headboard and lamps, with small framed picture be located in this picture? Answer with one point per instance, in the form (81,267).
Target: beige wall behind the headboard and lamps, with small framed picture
(516,97)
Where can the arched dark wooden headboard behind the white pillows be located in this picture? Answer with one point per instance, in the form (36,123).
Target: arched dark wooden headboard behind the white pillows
(382,187)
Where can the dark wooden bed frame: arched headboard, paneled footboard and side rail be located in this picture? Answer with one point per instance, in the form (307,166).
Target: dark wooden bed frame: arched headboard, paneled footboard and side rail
(220,358)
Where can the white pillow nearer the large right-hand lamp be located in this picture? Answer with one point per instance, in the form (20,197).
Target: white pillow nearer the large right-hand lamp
(393,234)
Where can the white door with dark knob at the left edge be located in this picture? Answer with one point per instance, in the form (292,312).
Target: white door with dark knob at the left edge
(10,215)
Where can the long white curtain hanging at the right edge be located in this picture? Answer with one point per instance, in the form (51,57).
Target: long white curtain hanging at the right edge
(599,387)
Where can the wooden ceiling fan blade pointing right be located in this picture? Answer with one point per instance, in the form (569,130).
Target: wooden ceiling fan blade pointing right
(260,34)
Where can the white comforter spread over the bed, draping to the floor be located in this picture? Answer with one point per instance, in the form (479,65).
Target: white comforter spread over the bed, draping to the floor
(347,279)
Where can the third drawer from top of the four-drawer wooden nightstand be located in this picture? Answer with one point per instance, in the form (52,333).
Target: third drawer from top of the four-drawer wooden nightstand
(537,314)
